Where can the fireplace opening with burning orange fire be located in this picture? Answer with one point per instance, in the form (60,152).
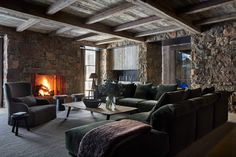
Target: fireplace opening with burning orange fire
(48,85)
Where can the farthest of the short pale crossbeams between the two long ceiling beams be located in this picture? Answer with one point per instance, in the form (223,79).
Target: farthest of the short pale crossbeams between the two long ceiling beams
(158,31)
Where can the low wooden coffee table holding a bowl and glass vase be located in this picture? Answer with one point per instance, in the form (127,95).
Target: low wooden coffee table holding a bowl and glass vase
(101,109)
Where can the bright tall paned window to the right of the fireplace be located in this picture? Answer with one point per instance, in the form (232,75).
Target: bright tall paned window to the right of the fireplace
(90,67)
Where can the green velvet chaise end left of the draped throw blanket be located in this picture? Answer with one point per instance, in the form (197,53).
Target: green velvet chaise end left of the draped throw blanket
(74,135)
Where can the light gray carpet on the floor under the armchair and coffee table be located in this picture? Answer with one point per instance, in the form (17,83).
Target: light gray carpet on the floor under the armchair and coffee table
(47,140)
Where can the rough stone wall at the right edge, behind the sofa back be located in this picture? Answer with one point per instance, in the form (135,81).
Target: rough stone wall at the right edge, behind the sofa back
(214,57)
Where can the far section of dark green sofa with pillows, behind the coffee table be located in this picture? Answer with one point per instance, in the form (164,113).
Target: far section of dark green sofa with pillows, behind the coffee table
(142,96)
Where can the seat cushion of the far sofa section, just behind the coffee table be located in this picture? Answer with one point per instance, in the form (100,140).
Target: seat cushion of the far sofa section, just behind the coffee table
(131,102)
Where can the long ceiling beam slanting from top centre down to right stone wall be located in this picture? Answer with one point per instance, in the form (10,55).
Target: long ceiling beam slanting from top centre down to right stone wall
(164,12)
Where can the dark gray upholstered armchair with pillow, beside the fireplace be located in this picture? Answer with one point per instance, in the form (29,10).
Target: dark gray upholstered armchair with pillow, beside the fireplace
(19,98)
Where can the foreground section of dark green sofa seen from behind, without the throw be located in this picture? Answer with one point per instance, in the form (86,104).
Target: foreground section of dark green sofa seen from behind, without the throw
(178,119)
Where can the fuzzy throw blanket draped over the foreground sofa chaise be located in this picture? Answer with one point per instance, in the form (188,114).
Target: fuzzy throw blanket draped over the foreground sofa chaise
(98,142)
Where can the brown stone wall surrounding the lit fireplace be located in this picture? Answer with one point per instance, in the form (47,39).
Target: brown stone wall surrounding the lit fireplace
(30,53)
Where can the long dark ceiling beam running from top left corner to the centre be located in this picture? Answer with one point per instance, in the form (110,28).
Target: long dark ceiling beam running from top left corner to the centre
(27,9)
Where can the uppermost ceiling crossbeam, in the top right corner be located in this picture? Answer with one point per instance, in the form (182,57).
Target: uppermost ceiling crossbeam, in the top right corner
(203,6)
